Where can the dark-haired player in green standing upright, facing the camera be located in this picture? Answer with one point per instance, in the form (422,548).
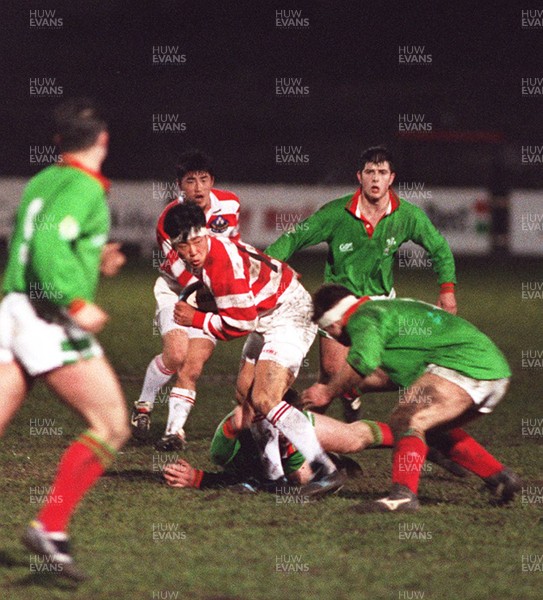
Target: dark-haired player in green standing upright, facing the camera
(363,232)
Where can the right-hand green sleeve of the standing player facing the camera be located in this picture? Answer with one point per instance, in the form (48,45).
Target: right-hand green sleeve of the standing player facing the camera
(439,252)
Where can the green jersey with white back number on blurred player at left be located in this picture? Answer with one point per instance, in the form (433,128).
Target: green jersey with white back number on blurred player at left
(60,228)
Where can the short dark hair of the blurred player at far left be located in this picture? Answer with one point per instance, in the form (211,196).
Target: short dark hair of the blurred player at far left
(77,123)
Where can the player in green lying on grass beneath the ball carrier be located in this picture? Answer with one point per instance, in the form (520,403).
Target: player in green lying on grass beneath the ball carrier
(234,449)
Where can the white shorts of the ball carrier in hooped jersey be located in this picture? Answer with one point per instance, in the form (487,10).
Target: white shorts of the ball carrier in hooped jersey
(284,334)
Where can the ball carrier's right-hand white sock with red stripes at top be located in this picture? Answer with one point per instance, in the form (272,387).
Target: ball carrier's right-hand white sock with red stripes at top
(297,429)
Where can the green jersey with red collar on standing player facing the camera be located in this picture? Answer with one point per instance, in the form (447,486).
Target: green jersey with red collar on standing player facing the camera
(359,257)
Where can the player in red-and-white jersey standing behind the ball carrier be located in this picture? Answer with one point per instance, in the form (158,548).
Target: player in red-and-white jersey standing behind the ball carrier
(185,350)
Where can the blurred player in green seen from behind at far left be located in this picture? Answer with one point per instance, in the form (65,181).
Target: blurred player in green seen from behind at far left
(48,317)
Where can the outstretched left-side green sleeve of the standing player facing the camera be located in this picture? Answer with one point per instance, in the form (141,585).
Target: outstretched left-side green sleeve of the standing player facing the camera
(310,232)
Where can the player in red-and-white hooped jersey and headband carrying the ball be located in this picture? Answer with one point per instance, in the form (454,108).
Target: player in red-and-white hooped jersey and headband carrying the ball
(262,297)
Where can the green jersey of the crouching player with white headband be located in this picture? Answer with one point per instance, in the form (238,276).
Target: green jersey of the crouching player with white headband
(404,336)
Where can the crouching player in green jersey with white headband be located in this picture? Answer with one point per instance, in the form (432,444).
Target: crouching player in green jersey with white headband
(453,373)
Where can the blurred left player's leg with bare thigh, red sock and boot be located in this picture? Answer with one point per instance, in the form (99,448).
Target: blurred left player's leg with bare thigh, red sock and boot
(92,389)
